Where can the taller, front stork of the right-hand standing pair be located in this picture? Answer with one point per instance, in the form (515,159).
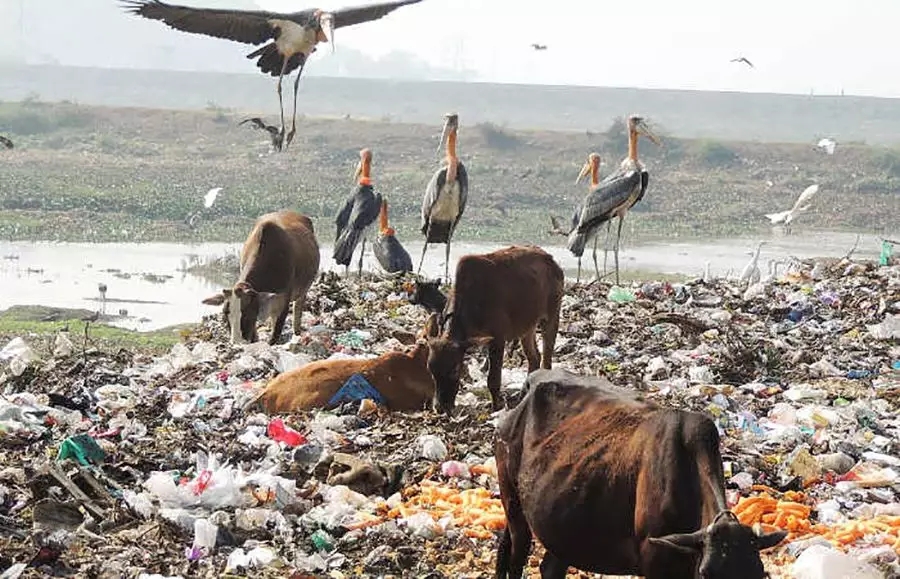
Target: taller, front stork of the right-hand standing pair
(616,194)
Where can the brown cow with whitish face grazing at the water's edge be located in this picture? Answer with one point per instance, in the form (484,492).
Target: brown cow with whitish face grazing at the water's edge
(279,262)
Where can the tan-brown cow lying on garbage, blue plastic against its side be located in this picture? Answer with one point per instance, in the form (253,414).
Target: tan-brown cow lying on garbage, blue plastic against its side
(402,378)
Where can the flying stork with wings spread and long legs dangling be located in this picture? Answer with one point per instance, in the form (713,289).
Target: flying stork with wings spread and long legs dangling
(293,36)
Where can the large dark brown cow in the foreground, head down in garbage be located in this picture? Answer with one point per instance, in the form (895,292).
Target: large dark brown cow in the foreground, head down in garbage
(613,484)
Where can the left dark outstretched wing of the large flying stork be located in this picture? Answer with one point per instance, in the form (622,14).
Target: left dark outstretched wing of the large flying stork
(251,27)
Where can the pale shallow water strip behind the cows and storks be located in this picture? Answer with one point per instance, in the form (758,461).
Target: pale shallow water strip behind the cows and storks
(67,274)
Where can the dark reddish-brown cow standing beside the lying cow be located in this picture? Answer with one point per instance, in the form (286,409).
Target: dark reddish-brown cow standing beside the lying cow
(497,297)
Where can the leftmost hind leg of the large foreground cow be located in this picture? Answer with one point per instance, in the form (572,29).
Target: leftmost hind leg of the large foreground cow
(515,544)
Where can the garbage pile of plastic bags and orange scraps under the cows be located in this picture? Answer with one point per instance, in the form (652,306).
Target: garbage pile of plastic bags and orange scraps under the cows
(118,464)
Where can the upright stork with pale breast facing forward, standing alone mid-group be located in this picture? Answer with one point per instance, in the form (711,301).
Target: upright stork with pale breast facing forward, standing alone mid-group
(445,196)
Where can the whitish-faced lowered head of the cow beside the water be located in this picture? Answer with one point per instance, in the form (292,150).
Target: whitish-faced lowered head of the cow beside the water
(243,308)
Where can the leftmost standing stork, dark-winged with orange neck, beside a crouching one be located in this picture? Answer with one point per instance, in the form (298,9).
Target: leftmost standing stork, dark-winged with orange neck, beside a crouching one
(357,216)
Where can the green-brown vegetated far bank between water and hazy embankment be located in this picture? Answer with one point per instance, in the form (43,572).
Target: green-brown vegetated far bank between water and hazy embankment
(83,173)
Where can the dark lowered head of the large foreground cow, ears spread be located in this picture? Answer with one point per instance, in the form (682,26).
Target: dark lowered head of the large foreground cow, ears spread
(727,549)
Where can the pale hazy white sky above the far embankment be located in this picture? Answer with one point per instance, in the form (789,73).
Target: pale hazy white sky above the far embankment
(796,45)
